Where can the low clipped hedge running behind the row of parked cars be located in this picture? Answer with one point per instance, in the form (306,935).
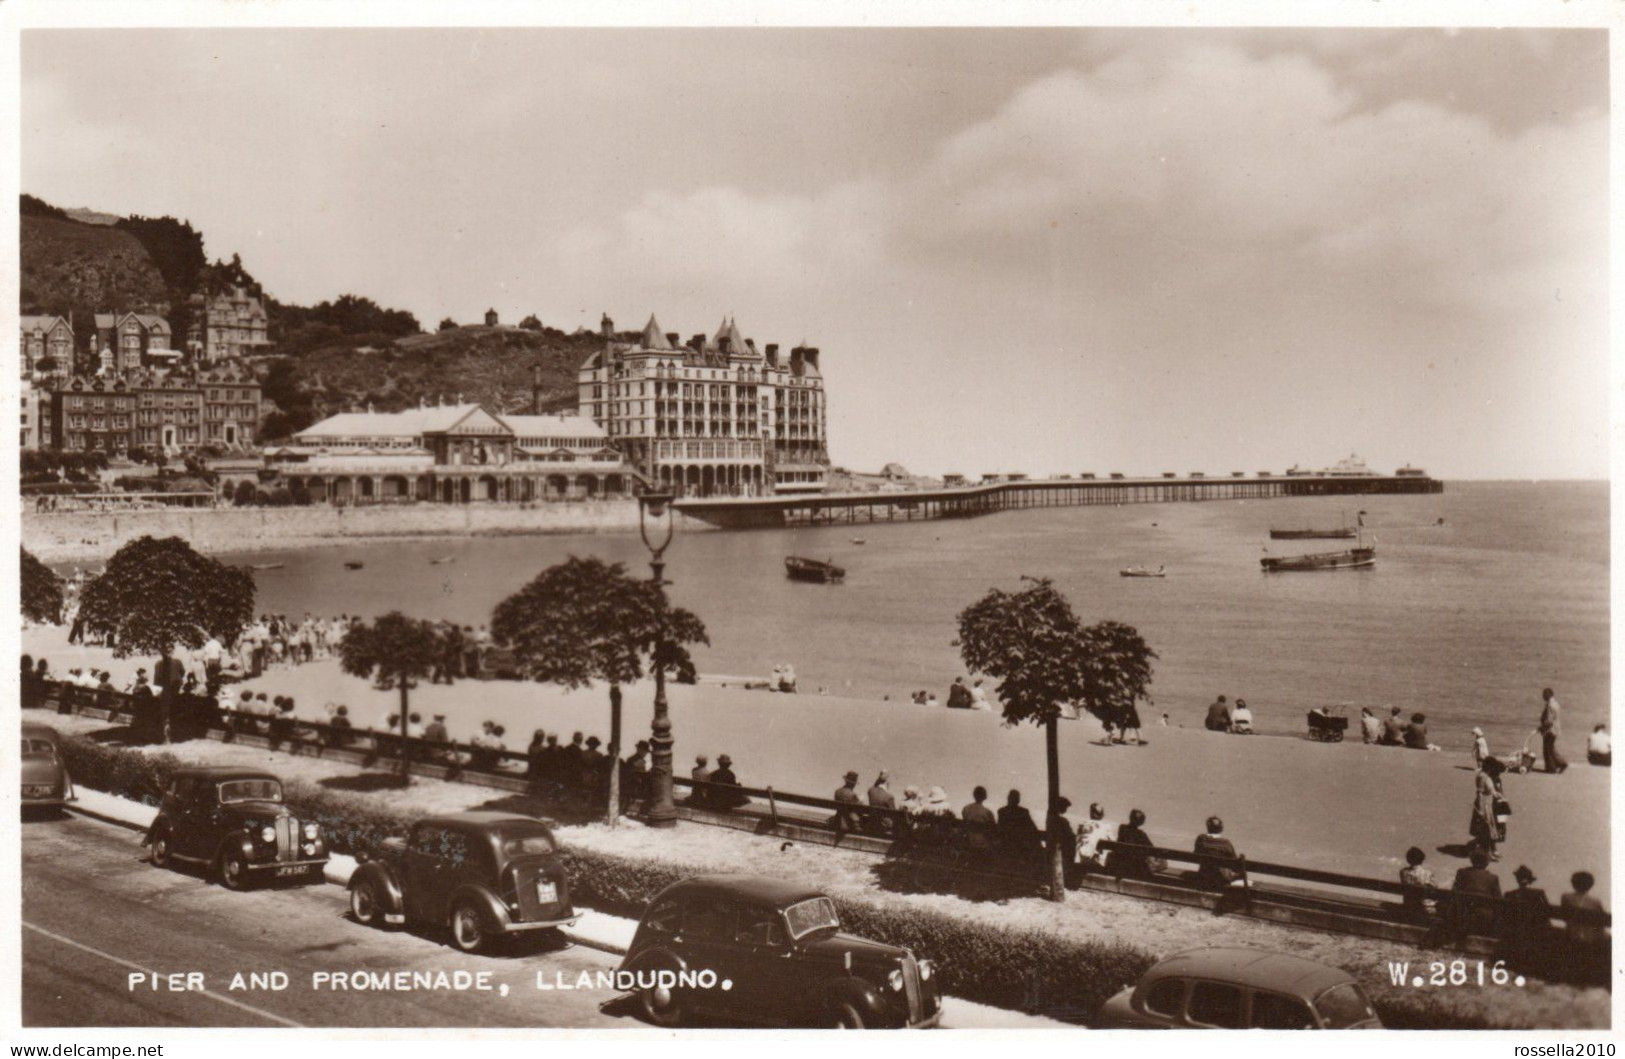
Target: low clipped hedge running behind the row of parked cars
(1025,970)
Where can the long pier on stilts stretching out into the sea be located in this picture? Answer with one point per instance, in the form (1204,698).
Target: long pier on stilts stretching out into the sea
(1003,496)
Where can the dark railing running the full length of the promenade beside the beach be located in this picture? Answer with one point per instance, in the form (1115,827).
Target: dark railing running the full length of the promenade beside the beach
(932,852)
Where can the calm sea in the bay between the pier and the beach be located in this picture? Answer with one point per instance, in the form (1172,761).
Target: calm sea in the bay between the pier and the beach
(1465,621)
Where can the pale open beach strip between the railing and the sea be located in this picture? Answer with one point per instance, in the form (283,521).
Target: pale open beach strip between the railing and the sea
(1345,808)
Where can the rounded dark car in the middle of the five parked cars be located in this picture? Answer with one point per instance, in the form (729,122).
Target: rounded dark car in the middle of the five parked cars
(479,875)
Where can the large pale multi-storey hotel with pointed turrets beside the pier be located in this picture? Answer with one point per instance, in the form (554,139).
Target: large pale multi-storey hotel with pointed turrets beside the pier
(714,417)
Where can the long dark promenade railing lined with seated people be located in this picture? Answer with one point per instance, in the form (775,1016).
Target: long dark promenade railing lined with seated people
(934,854)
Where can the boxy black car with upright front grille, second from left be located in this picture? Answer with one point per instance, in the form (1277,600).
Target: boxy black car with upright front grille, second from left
(233,821)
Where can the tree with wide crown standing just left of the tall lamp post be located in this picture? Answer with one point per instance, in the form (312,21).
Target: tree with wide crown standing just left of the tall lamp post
(587,621)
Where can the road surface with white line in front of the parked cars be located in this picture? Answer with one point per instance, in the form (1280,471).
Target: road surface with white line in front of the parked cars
(95,914)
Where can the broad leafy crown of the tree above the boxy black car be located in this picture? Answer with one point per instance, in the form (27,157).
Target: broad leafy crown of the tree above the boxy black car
(158,594)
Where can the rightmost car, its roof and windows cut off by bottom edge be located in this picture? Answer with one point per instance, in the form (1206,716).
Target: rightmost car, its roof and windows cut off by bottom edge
(1241,990)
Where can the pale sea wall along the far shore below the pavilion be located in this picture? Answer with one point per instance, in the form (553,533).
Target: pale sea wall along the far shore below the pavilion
(84,537)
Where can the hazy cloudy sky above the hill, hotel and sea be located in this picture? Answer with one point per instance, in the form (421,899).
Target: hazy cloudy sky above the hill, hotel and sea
(1046,251)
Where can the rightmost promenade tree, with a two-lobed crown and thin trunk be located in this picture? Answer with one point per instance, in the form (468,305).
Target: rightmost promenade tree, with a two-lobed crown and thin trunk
(1046,660)
